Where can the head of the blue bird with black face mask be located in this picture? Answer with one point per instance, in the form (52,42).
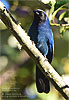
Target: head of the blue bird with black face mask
(39,15)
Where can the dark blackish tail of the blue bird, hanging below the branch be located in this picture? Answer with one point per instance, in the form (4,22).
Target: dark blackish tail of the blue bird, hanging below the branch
(42,82)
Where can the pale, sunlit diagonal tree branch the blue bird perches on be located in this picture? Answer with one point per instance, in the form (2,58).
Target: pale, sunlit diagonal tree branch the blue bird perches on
(30,48)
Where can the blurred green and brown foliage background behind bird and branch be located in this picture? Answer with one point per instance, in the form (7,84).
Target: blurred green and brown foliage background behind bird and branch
(17,69)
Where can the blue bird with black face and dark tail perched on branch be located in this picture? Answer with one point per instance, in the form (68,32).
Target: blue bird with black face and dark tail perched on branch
(40,32)
